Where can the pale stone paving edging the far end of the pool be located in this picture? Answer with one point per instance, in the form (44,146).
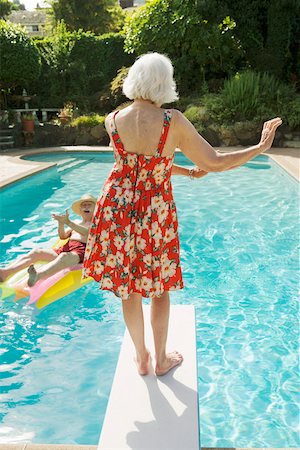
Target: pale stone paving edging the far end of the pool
(16,168)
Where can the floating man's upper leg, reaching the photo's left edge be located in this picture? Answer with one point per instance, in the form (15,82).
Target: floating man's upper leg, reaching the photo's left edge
(25,260)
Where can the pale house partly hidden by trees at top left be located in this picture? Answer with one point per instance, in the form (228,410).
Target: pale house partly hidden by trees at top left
(33,21)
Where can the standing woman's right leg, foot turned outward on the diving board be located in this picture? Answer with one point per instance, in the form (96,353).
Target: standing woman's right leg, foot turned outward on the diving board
(160,312)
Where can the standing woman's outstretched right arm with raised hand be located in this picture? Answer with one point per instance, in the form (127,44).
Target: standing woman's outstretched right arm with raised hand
(201,153)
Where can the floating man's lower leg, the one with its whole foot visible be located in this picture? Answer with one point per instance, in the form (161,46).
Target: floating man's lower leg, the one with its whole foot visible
(61,262)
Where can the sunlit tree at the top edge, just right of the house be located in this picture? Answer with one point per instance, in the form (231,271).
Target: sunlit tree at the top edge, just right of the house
(98,16)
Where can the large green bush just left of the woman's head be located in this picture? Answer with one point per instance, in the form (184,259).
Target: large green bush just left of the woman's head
(77,65)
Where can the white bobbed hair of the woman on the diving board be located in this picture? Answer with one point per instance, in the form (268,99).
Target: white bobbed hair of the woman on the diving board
(151,78)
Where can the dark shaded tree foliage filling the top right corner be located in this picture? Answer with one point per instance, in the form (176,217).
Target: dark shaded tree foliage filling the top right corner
(269,32)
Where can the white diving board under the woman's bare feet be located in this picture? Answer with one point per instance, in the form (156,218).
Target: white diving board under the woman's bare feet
(155,413)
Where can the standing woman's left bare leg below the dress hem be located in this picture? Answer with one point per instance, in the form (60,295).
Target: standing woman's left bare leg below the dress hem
(134,320)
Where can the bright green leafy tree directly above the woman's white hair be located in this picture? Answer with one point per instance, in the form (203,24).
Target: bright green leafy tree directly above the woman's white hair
(199,48)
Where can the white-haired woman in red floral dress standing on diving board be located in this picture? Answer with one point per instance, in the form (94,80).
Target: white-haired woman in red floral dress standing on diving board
(133,245)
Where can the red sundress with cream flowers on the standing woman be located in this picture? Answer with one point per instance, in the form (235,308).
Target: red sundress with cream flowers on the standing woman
(133,243)
